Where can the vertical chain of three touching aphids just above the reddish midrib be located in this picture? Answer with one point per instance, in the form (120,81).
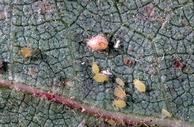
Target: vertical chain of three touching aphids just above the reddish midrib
(120,94)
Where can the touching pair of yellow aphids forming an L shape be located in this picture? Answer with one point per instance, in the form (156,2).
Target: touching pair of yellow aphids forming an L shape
(98,76)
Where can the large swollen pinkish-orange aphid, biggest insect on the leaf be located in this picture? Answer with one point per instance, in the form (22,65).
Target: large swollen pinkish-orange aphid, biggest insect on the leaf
(98,43)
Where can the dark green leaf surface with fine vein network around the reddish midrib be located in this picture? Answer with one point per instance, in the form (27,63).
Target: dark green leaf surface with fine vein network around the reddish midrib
(156,35)
